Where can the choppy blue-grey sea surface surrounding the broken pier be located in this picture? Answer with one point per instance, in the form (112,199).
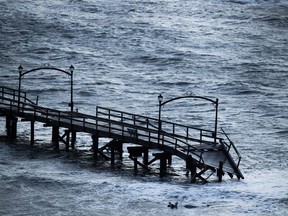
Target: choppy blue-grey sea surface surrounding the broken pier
(125,53)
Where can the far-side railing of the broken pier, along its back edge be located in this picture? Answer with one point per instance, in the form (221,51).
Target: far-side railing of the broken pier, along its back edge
(189,135)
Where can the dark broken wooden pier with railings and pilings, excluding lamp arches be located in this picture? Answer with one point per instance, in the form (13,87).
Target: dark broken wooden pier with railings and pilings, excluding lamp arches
(205,155)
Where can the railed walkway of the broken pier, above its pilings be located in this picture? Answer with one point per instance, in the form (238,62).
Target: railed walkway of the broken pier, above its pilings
(138,129)
